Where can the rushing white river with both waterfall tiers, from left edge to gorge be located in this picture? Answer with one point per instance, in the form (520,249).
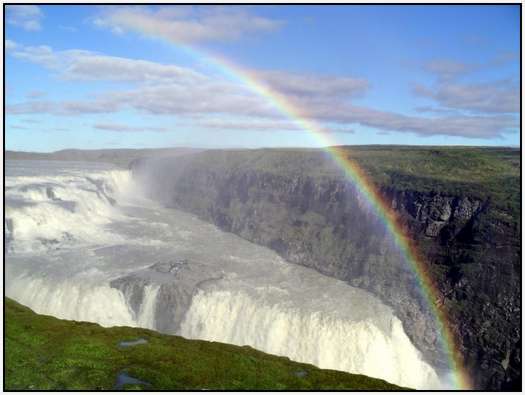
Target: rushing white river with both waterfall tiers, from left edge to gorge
(83,243)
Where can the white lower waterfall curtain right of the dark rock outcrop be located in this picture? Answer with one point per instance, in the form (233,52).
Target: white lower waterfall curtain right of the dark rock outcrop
(357,346)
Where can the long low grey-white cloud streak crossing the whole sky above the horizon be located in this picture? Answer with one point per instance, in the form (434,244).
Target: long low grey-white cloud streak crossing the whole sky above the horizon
(166,101)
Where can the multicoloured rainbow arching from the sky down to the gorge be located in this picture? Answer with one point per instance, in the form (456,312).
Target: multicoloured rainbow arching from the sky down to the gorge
(358,177)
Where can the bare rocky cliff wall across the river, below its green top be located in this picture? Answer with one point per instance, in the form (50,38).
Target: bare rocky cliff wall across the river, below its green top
(321,221)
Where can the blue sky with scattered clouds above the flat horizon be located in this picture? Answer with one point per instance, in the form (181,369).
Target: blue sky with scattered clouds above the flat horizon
(260,76)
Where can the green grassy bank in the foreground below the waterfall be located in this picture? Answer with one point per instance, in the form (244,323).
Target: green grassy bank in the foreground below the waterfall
(45,353)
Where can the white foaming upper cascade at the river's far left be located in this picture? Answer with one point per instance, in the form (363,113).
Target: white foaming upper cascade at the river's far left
(57,211)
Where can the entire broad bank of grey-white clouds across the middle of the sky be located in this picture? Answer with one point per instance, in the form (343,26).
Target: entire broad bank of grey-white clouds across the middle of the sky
(160,89)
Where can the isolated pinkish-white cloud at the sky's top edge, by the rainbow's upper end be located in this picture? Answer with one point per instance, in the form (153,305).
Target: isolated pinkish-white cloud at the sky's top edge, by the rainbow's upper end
(185,24)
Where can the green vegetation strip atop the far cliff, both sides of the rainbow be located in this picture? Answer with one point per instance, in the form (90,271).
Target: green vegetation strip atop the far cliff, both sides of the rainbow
(484,173)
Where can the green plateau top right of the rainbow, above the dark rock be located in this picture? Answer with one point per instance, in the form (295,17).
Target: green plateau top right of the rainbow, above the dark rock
(448,168)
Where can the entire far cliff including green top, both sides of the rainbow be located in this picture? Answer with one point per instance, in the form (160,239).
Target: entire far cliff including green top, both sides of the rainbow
(459,205)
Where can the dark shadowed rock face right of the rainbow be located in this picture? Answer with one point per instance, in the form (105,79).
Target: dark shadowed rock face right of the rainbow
(479,258)
